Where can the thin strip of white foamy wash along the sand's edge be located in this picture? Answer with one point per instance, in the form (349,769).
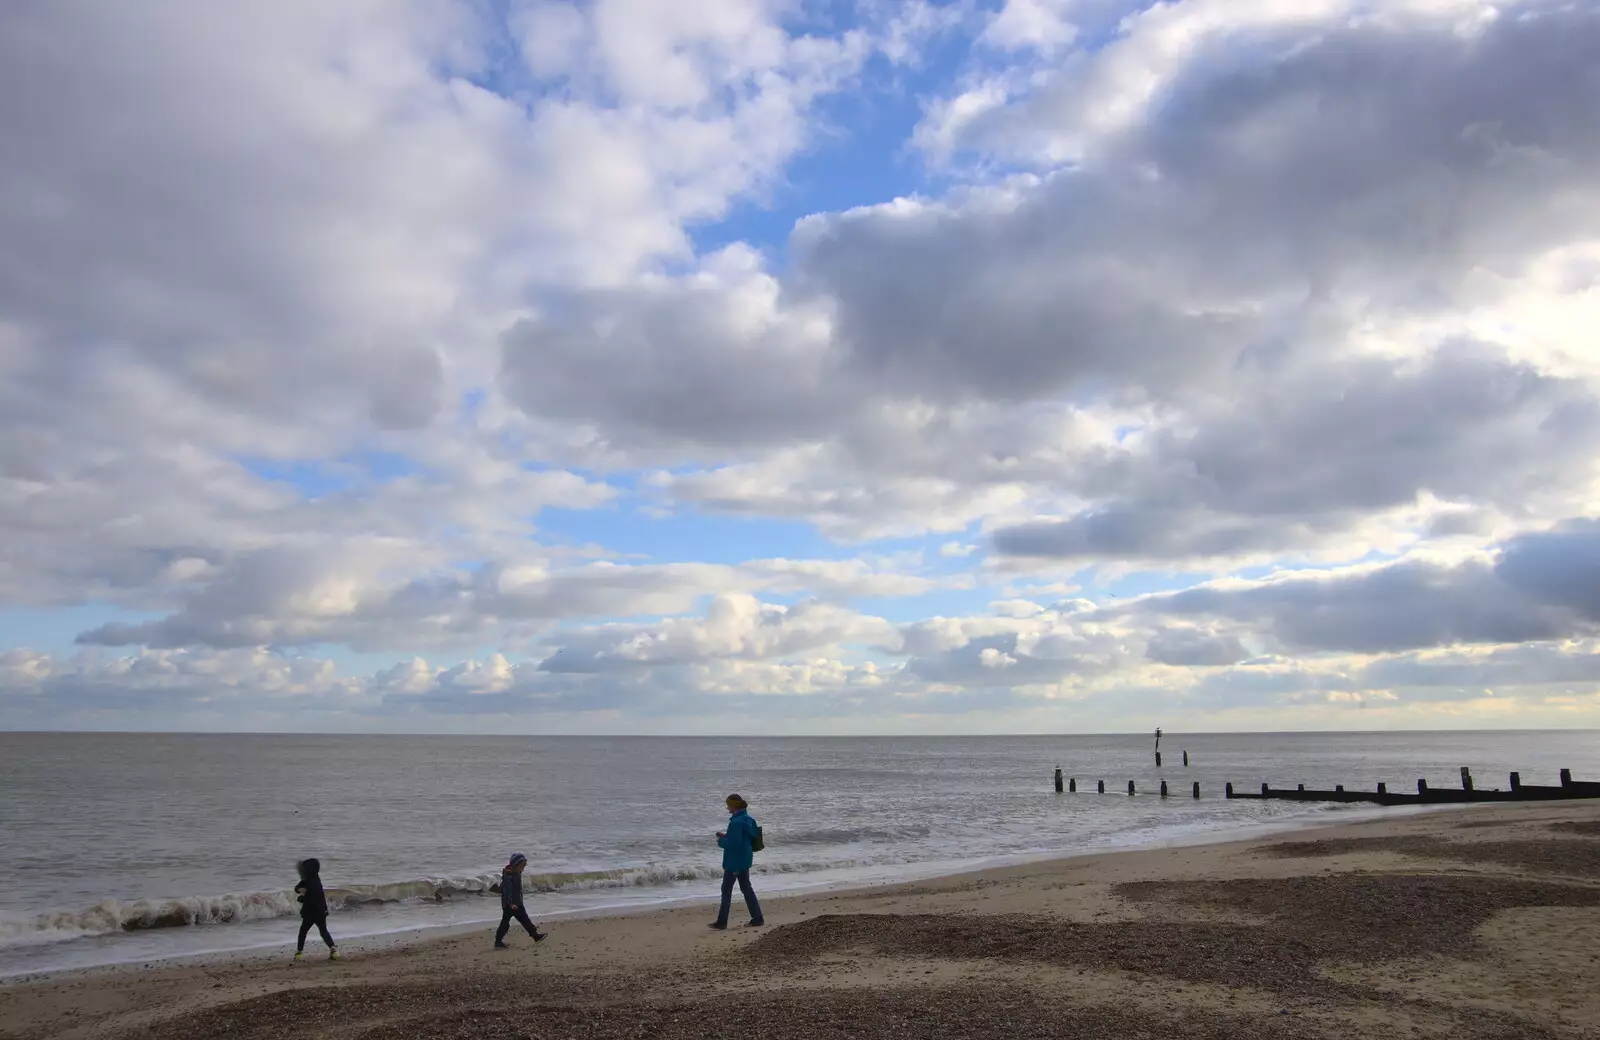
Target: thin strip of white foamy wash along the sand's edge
(1308,822)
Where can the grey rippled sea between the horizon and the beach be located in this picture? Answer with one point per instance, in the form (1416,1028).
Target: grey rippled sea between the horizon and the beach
(121,849)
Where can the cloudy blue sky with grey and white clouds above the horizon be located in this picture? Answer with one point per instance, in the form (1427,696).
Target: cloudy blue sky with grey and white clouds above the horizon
(766,367)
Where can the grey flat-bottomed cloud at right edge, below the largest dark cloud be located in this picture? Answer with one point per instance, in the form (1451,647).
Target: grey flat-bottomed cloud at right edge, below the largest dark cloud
(1308,457)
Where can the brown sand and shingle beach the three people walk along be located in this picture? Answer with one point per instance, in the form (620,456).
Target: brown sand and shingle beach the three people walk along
(1478,924)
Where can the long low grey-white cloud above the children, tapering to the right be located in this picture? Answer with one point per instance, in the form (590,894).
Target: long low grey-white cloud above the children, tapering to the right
(362,594)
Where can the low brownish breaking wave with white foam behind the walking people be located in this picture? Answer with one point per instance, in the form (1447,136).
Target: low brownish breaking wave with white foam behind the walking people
(111,916)
